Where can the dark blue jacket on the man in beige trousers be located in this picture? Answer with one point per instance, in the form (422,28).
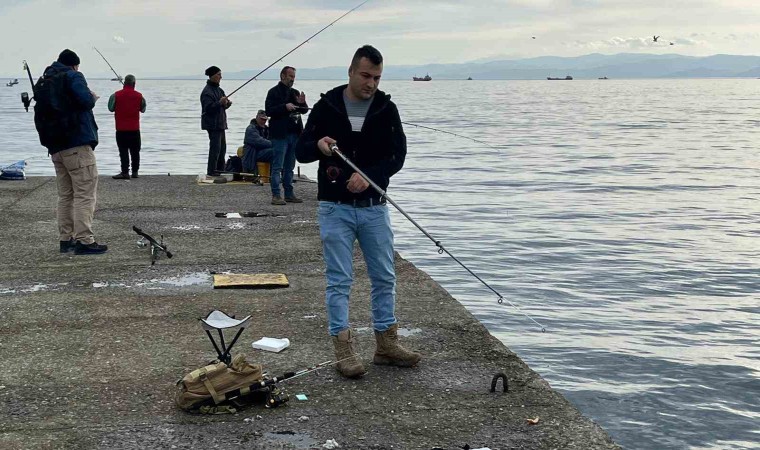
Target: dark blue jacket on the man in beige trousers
(84,102)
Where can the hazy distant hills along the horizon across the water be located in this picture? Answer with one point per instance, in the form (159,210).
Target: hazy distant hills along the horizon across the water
(622,65)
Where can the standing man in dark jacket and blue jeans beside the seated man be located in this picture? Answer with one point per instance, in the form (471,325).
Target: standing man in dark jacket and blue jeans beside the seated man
(284,106)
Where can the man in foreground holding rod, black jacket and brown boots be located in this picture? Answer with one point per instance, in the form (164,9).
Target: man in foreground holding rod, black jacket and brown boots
(365,125)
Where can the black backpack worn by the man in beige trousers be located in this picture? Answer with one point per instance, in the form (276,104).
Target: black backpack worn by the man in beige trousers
(55,115)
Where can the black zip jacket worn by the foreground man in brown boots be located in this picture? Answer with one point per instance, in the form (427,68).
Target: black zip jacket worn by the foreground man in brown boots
(379,150)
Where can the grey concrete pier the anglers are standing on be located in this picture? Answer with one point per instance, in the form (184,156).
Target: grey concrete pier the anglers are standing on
(92,346)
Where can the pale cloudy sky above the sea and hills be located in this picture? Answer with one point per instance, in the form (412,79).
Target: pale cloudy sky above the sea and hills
(171,37)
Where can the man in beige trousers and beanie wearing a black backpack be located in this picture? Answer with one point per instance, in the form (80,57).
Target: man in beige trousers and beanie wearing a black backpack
(72,152)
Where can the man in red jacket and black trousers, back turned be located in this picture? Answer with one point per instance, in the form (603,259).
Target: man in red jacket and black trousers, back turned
(127,104)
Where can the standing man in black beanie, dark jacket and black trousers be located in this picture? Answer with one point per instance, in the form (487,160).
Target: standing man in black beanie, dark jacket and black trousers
(214,105)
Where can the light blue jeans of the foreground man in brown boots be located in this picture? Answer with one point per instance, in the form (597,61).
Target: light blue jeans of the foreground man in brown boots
(339,227)
